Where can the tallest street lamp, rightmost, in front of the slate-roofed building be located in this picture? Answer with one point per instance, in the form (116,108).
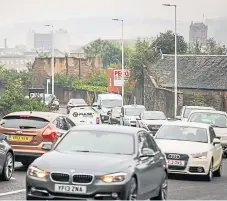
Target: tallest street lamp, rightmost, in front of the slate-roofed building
(175,84)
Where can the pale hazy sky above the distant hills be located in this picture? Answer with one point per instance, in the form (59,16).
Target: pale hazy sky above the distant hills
(13,11)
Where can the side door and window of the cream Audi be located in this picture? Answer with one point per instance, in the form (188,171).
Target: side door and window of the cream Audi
(216,149)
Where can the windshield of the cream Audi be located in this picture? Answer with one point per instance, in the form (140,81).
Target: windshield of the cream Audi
(182,133)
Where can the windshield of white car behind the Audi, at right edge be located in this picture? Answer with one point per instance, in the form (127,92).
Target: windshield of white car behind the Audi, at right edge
(215,119)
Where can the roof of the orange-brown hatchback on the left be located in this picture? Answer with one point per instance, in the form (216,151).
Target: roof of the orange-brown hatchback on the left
(50,116)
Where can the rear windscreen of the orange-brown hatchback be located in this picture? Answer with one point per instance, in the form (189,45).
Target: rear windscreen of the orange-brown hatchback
(23,122)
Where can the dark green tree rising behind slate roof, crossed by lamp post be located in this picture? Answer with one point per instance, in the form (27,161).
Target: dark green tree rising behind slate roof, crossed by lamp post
(166,43)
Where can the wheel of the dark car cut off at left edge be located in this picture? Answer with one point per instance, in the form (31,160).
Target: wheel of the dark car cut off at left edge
(8,168)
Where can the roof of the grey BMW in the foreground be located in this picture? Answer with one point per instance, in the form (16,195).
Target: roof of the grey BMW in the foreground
(107,128)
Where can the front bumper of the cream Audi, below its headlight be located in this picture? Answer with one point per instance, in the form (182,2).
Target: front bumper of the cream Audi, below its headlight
(193,167)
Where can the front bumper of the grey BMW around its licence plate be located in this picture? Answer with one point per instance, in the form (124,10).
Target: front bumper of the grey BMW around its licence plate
(95,191)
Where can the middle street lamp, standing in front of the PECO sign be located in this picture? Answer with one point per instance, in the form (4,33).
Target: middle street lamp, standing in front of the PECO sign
(122,58)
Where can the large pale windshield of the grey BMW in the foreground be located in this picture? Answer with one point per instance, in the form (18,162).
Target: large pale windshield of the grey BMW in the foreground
(97,141)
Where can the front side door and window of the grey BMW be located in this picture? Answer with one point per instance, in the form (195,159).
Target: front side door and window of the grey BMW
(146,166)
